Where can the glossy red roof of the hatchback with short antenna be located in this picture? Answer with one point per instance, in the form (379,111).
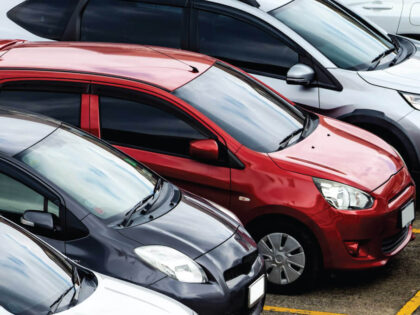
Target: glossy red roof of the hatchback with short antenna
(163,67)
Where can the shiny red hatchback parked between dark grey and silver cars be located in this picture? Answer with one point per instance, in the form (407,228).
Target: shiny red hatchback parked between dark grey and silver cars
(314,192)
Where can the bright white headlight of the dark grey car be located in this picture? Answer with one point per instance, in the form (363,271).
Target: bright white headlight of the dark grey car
(173,263)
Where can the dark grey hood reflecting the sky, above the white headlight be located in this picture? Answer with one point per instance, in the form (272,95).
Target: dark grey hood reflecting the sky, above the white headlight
(193,227)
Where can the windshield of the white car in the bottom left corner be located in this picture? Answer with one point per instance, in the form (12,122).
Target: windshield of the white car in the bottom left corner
(32,276)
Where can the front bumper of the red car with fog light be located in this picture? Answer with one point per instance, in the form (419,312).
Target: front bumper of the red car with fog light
(377,232)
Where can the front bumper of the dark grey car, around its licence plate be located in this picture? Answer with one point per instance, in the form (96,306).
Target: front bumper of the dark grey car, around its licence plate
(231,268)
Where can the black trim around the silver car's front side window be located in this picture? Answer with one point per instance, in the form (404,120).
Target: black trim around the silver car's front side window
(304,56)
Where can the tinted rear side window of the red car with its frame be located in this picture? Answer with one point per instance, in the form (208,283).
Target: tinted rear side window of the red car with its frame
(60,100)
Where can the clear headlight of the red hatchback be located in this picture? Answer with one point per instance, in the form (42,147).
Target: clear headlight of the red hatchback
(342,196)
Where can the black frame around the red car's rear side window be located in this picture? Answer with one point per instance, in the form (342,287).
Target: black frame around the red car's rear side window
(49,86)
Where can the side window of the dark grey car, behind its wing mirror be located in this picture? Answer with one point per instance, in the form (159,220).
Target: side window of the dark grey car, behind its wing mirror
(20,192)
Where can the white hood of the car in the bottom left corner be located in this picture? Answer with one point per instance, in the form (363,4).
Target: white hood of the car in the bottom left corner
(114,296)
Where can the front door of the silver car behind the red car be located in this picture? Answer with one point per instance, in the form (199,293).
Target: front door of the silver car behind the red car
(250,44)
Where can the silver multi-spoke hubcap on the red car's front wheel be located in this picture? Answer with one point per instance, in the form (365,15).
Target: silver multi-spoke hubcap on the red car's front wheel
(284,257)
